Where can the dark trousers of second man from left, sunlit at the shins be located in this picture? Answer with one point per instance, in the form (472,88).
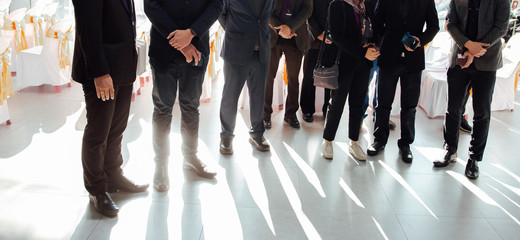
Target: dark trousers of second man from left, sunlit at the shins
(167,78)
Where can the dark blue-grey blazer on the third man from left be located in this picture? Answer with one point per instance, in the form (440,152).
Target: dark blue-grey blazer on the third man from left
(244,29)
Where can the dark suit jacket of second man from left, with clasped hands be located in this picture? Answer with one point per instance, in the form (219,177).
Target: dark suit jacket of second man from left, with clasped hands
(170,15)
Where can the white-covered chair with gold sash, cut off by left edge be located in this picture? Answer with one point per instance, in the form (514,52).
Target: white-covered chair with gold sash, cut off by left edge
(6,84)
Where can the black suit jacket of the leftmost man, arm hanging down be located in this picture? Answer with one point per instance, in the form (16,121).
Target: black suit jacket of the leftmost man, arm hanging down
(105,41)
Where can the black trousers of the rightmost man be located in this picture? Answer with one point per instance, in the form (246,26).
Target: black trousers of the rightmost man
(483,84)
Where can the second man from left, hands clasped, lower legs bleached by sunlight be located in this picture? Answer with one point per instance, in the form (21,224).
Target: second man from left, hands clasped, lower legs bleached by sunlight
(179,53)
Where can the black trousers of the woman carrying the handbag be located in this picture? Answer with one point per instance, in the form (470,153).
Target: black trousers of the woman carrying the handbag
(354,84)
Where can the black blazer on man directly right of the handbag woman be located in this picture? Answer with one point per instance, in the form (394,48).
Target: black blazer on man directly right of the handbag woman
(392,25)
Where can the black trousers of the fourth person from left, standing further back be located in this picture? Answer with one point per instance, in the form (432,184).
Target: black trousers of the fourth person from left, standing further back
(293,60)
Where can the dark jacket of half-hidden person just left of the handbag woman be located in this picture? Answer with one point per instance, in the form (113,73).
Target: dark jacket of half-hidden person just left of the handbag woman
(318,21)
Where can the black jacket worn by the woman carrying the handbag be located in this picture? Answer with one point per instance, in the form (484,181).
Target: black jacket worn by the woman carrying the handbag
(346,34)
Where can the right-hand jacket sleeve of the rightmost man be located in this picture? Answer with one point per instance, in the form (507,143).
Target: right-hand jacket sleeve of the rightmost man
(501,23)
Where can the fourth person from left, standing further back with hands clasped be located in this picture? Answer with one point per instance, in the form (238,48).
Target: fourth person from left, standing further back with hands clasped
(289,36)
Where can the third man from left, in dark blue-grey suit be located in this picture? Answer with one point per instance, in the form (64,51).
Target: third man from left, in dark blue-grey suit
(246,54)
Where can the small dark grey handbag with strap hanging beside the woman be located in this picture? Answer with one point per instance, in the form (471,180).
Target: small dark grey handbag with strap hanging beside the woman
(326,77)
